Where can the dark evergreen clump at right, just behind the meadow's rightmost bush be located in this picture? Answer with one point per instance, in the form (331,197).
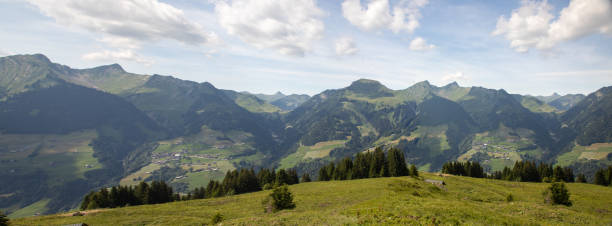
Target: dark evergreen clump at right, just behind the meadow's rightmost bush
(530,171)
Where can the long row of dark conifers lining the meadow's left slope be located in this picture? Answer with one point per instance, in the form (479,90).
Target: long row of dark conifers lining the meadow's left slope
(235,182)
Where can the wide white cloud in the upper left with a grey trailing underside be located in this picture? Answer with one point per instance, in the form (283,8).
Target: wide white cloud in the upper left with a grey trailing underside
(126,24)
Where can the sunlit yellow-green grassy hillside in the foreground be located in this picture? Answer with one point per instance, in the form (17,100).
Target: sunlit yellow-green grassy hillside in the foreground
(402,200)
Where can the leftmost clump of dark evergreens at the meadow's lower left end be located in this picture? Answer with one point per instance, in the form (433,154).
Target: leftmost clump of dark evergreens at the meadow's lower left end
(119,196)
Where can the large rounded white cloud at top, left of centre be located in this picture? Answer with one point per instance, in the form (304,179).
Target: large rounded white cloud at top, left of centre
(289,26)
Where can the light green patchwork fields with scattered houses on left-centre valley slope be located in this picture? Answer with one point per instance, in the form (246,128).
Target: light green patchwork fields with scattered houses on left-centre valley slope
(201,157)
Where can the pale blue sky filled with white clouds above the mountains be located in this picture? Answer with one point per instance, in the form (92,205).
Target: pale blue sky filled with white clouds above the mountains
(307,46)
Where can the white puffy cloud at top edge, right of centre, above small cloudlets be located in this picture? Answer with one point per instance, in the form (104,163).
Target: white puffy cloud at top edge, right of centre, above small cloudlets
(378,14)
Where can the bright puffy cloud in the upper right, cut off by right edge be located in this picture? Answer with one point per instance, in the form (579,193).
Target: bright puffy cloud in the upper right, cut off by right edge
(532,25)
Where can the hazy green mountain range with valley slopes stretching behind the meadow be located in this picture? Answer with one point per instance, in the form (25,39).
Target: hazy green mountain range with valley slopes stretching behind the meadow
(64,131)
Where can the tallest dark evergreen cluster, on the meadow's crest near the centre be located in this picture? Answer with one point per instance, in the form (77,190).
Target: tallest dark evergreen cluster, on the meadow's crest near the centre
(368,165)
